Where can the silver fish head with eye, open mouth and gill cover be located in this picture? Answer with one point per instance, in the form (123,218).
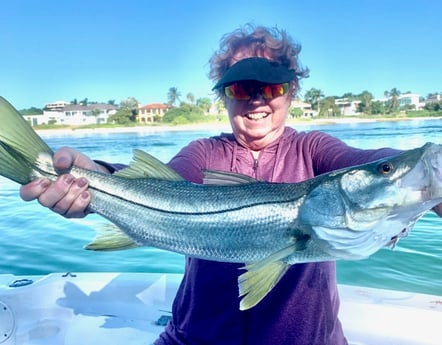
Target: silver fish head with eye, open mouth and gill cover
(364,208)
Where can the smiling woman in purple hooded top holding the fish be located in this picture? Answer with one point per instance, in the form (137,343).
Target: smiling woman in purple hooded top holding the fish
(256,73)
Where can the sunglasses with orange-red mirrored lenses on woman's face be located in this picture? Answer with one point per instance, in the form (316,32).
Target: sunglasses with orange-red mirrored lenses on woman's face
(244,91)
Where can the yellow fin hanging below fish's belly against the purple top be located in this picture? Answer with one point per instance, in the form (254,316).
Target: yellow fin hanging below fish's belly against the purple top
(262,276)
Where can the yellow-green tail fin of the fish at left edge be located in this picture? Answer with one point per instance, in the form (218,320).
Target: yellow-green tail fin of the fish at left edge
(20,146)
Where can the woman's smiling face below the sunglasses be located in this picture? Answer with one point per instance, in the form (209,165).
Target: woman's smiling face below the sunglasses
(258,122)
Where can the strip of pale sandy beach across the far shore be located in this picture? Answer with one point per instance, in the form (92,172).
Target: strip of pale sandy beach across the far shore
(221,127)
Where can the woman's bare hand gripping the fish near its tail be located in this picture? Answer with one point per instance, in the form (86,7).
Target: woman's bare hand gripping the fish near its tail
(67,195)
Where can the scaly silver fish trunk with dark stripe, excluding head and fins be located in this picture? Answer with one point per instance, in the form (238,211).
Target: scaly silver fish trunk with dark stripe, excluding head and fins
(241,223)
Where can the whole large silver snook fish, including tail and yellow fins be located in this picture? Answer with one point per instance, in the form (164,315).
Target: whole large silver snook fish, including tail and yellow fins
(345,214)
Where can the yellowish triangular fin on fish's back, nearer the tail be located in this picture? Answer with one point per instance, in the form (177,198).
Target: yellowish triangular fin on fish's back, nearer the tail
(146,166)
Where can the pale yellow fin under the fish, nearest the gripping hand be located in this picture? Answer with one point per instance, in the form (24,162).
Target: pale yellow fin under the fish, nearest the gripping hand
(111,237)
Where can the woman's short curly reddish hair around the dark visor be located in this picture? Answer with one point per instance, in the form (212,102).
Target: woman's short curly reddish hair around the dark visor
(259,41)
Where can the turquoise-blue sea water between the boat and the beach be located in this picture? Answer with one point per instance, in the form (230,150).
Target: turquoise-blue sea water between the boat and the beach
(36,241)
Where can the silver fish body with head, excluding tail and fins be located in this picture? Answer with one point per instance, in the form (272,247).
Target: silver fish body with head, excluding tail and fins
(346,214)
